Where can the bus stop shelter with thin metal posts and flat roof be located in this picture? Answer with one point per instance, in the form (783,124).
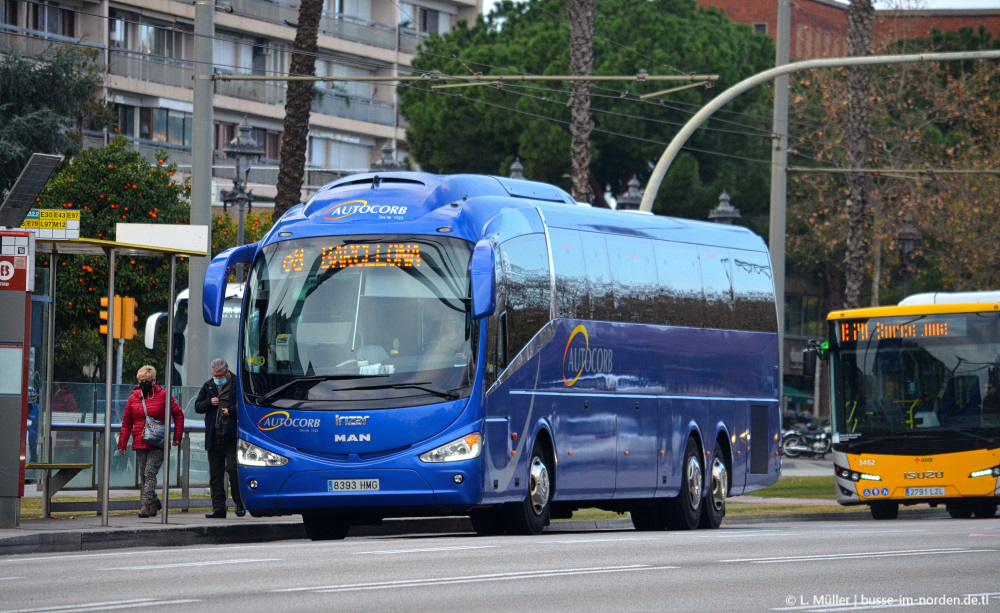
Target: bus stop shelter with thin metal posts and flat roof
(134,240)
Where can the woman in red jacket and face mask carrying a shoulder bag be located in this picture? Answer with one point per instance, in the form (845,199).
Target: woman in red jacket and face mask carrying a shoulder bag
(149,459)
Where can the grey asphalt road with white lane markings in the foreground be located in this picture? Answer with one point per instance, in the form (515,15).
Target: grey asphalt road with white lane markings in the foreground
(802,566)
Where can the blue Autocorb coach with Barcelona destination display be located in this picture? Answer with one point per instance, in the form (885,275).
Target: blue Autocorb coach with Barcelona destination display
(414,344)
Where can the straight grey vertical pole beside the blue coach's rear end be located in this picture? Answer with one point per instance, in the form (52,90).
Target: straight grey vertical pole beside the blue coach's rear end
(779,177)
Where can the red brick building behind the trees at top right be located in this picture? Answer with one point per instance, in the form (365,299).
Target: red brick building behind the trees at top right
(819,27)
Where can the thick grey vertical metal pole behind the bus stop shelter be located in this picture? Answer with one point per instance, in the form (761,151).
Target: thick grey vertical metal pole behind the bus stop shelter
(202,148)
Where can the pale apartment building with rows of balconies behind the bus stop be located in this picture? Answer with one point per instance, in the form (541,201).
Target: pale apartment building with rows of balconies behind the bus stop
(148,46)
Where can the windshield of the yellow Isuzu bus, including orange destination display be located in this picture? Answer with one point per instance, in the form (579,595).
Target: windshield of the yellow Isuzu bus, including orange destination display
(923,375)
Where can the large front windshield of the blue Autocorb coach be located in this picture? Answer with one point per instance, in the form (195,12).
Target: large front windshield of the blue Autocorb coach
(366,322)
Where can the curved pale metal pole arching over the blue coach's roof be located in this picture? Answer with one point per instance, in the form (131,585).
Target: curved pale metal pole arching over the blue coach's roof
(719,101)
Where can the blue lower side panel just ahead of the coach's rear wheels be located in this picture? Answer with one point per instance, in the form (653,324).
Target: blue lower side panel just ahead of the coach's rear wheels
(638,452)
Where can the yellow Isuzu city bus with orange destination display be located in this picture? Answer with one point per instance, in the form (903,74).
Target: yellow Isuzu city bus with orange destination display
(915,405)
